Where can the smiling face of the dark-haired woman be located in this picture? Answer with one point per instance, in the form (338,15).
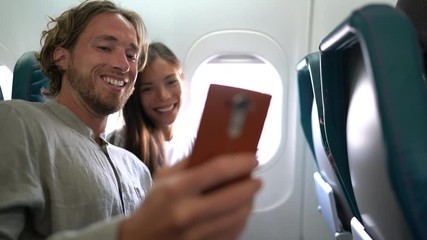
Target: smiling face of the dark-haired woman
(160,92)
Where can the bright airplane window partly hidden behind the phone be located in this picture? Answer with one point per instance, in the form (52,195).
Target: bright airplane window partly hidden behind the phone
(243,71)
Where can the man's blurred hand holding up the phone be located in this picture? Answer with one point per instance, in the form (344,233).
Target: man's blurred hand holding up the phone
(199,202)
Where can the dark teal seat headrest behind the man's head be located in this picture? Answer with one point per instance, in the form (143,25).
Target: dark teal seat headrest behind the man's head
(28,79)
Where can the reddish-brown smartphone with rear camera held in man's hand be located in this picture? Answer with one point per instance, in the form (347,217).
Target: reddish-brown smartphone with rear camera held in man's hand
(232,121)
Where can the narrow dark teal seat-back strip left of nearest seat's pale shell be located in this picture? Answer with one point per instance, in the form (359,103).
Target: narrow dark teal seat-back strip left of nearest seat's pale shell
(334,104)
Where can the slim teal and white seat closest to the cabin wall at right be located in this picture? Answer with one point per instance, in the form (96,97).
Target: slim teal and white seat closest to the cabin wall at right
(333,203)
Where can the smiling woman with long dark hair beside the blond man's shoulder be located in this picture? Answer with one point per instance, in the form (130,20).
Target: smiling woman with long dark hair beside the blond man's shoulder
(152,109)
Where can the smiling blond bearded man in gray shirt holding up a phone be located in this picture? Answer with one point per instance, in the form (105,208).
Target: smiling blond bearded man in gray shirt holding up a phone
(59,178)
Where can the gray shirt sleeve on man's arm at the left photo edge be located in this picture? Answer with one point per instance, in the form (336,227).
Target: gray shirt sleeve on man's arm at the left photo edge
(19,182)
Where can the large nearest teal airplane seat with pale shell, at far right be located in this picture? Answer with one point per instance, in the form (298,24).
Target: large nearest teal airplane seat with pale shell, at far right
(380,100)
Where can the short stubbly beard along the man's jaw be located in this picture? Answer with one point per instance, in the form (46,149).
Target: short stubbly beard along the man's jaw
(99,103)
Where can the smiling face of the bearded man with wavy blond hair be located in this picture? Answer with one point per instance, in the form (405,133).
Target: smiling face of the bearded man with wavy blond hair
(102,68)
